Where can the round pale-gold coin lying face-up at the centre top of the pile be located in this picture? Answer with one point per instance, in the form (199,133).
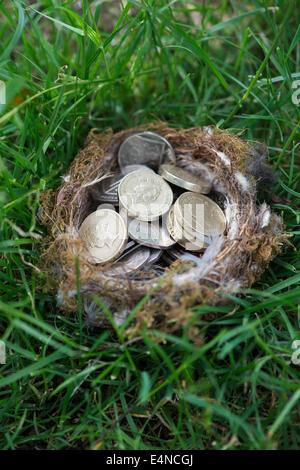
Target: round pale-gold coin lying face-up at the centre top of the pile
(145,195)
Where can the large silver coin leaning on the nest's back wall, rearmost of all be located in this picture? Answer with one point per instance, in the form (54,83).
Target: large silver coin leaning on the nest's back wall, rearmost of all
(145,148)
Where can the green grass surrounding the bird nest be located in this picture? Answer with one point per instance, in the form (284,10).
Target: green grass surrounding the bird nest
(229,63)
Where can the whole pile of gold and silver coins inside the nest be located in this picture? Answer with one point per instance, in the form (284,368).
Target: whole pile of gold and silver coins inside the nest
(163,210)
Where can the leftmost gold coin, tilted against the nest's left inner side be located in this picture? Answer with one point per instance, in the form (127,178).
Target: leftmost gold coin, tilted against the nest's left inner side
(104,233)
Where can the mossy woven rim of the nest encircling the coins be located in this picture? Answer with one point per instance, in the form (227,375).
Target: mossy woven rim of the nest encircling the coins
(254,234)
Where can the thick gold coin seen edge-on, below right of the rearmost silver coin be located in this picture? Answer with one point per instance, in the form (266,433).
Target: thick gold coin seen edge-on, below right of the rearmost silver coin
(184,179)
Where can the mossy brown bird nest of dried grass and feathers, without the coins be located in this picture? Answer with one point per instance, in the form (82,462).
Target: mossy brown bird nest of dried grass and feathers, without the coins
(166,293)
